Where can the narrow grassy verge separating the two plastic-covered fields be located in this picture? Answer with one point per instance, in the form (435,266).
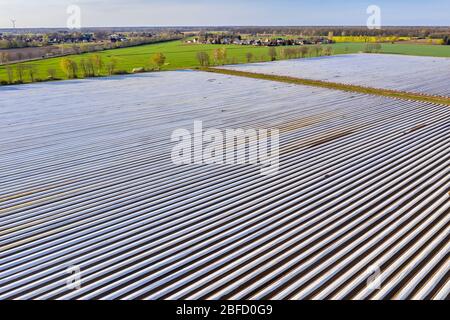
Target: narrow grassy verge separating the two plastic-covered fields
(333,85)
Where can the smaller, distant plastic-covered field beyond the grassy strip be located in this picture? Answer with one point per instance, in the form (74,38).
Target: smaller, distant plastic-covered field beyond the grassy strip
(426,75)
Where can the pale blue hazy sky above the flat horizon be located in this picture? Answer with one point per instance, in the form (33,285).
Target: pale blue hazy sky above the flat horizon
(97,13)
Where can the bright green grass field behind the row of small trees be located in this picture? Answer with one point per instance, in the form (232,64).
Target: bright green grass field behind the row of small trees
(181,55)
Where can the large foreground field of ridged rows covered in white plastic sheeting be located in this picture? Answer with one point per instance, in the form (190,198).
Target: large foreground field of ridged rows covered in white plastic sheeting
(86,180)
